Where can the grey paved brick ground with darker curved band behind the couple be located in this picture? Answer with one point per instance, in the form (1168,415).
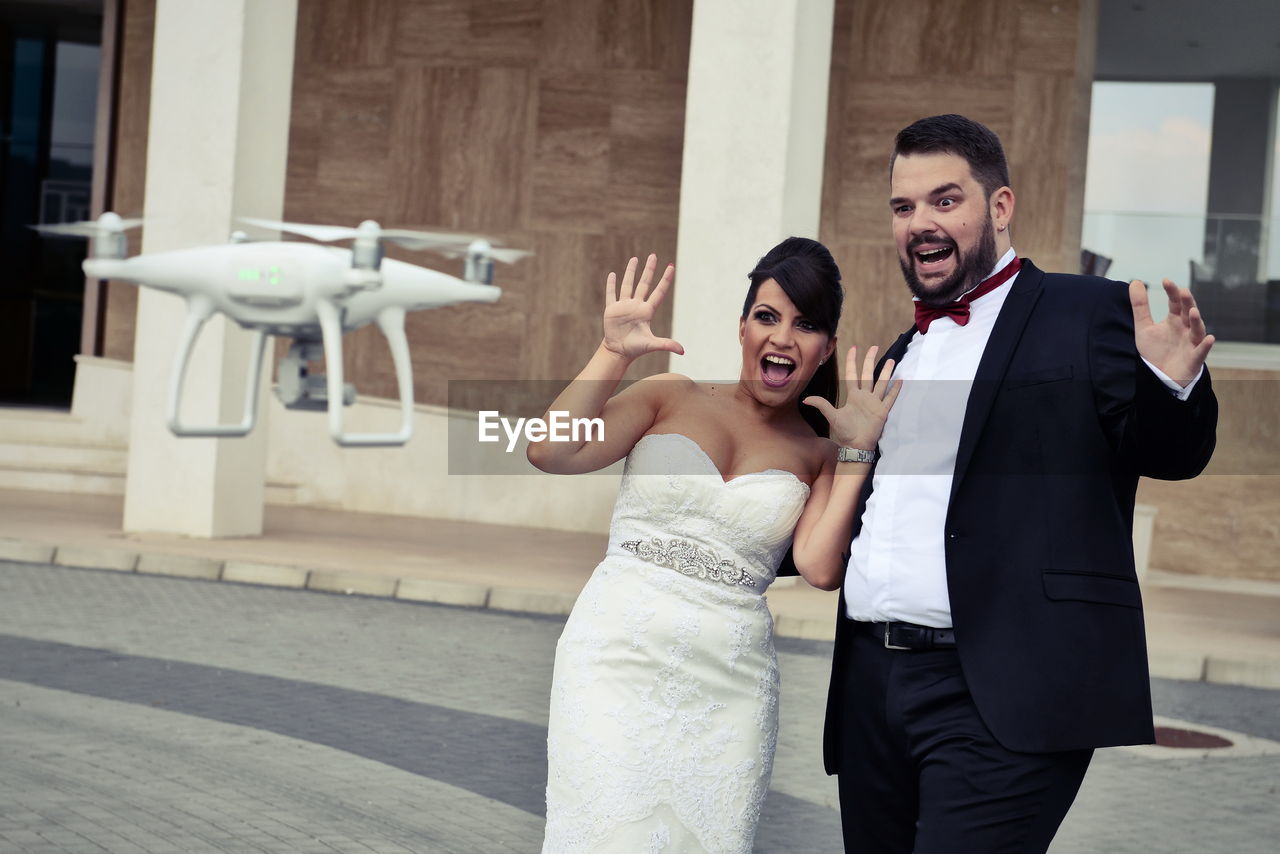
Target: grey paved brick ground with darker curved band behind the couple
(143,714)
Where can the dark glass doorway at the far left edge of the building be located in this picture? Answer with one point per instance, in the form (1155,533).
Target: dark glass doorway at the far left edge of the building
(49,68)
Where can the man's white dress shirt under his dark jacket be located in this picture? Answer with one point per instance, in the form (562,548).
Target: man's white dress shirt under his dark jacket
(898,567)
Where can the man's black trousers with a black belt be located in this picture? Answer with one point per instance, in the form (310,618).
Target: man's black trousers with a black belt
(921,773)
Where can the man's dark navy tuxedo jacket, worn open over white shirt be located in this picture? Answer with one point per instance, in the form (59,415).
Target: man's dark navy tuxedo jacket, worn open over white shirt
(1062,421)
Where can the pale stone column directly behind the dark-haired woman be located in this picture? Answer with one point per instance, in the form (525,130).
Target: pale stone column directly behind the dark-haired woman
(756,125)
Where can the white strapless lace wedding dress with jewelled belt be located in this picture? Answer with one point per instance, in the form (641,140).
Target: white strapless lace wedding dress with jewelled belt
(664,714)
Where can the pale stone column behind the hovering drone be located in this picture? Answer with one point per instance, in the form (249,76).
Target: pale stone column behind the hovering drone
(217,149)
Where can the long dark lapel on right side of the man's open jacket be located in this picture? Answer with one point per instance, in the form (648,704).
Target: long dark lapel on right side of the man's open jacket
(995,363)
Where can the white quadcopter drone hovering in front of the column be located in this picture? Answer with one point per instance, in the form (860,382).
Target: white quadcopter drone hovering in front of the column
(301,291)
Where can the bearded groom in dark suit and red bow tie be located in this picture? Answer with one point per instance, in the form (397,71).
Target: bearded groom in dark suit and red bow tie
(990,632)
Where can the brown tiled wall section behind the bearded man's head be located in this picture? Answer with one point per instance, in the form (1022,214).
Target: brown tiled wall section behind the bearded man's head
(1021,67)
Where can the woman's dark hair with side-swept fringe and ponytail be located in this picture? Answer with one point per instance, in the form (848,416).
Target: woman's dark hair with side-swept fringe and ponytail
(811,278)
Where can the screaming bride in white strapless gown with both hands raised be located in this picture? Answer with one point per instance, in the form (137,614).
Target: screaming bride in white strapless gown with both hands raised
(664,711)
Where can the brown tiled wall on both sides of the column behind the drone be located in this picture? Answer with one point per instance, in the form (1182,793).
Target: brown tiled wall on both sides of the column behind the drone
(552,125)
